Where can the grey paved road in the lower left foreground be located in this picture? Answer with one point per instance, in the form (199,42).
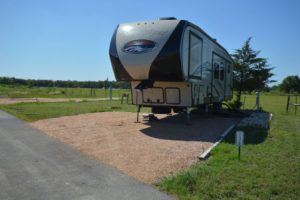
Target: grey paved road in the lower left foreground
(36,167)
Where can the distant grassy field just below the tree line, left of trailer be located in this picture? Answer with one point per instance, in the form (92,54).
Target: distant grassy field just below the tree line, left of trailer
(49,92)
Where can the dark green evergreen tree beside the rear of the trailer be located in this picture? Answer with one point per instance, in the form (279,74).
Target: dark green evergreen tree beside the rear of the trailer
(250,72)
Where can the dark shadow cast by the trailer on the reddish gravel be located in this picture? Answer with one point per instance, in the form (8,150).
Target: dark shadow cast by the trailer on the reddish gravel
(204,127)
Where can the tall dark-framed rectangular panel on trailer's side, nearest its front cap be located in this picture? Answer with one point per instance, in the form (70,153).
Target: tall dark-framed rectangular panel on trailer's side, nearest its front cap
(195,55)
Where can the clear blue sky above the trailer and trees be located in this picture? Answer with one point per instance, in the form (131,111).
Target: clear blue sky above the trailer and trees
(69,39)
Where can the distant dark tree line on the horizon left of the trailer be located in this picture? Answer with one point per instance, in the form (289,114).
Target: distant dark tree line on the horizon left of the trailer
(64,84)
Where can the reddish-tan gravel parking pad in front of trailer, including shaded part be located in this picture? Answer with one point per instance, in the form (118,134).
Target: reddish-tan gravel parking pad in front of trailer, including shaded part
(146,151)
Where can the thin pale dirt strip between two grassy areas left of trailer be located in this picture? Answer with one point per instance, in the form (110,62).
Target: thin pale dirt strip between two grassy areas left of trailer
(4,100)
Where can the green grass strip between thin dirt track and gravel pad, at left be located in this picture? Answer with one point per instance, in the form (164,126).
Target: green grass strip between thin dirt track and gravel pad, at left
(36,111)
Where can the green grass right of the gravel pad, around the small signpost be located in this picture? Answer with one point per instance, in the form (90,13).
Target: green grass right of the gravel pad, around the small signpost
(269,166)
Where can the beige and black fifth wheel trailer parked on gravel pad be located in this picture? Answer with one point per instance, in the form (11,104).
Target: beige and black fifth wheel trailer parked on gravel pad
(171,64)
